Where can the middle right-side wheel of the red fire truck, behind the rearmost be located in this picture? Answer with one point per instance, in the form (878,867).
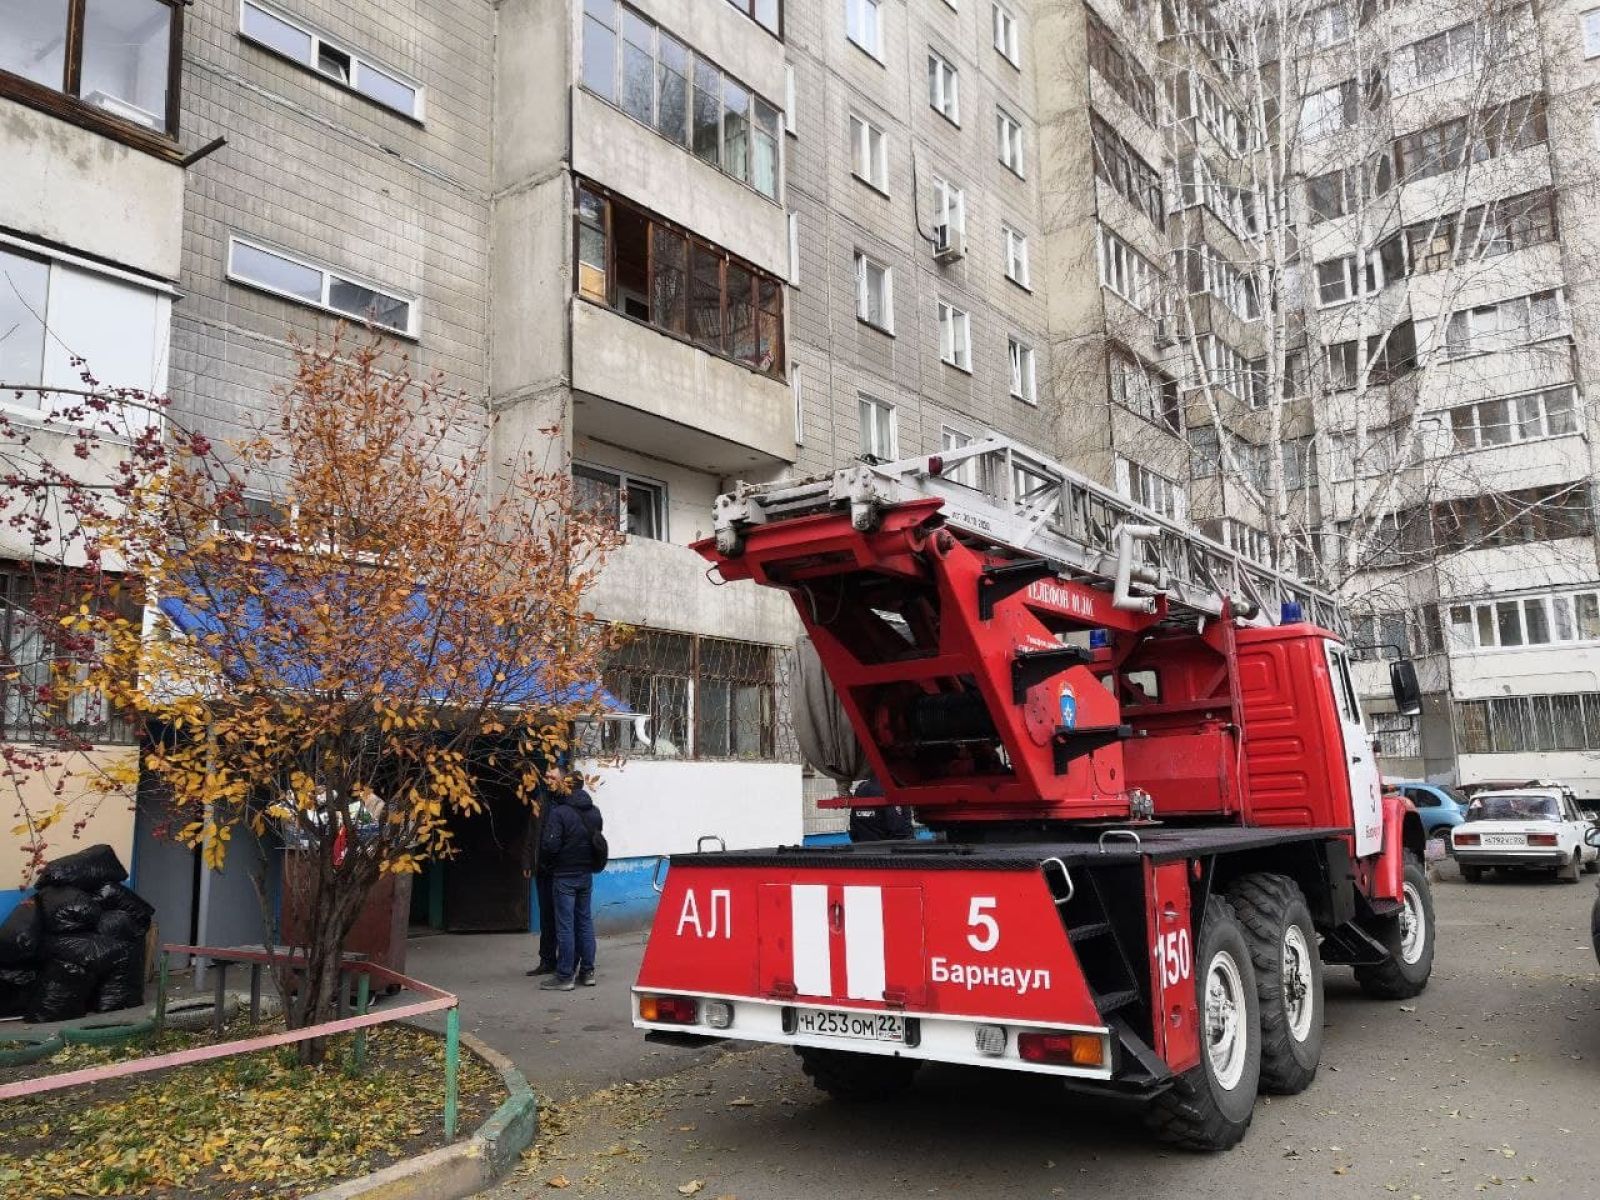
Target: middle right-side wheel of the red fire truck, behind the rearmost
(1289,978)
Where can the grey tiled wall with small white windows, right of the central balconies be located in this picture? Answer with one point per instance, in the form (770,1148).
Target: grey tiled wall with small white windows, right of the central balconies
(839,215)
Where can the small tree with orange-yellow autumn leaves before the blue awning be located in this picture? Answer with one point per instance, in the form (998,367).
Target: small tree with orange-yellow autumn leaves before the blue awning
(362,612)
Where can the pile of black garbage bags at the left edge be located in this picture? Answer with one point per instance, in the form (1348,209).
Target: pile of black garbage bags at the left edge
(78,943)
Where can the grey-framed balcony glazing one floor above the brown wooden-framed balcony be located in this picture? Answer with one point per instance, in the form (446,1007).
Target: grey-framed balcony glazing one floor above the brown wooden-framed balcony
(647,73)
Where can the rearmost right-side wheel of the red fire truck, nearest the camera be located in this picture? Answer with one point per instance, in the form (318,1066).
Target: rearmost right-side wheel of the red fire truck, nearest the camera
(1209,1108)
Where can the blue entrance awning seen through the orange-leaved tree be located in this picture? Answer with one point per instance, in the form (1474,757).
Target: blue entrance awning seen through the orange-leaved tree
(526,692)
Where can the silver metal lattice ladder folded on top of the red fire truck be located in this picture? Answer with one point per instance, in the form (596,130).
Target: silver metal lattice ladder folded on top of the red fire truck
(1010,497)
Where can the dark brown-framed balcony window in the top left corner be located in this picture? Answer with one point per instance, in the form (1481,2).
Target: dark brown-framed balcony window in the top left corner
(119,57)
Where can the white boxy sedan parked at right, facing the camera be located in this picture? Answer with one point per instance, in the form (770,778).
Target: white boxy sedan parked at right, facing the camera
(1526,830)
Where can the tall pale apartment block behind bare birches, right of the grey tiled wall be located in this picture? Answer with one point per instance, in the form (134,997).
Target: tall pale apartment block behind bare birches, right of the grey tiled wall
(1345,313)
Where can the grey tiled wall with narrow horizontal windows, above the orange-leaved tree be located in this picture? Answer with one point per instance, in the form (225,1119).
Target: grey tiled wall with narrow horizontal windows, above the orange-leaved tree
(332,177)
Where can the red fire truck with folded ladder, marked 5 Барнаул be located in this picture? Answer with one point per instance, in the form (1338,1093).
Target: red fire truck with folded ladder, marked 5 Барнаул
(1158,812)
